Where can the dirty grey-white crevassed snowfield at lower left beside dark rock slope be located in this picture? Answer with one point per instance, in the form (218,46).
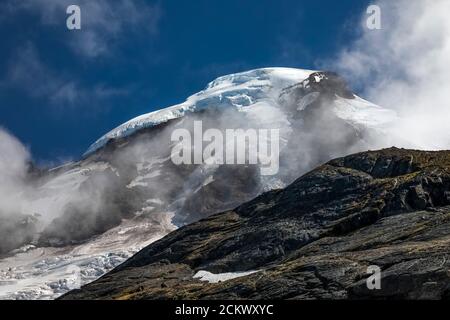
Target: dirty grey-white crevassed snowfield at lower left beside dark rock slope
(46,273)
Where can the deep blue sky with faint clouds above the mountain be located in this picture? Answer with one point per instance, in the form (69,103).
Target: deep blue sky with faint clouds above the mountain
(60,90)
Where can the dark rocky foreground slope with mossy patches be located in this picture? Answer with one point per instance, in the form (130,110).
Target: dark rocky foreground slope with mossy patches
(311,240)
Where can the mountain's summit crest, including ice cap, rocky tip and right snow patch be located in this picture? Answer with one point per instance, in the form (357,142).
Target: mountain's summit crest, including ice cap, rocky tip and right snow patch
(254,87)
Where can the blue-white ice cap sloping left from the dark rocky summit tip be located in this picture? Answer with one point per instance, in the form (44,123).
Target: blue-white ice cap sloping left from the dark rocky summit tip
(239,89)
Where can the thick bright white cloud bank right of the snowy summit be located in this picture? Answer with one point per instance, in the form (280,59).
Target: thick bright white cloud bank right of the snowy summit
(405,66)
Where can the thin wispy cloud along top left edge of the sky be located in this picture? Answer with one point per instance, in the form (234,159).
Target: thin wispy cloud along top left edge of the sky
(104,23)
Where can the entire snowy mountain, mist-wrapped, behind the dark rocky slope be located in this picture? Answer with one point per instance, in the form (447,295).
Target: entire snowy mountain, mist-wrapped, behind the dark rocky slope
(127,192)
